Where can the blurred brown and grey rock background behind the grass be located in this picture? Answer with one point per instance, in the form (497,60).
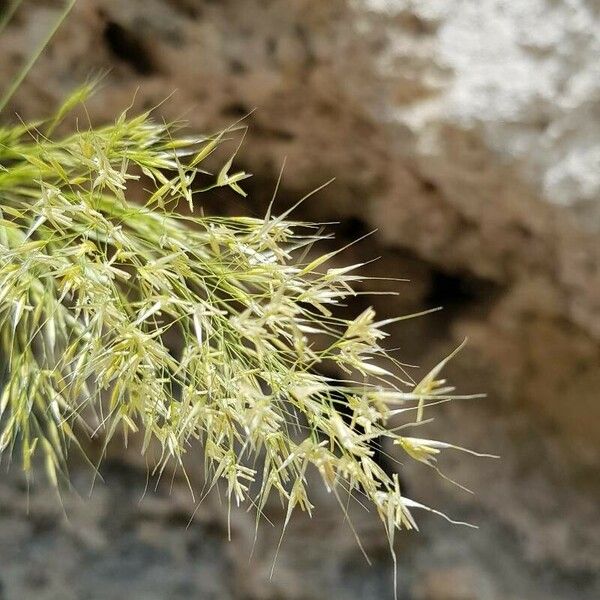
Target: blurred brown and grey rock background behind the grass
(468,135)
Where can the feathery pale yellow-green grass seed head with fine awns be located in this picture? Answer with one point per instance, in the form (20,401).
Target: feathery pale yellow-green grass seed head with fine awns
(119,317)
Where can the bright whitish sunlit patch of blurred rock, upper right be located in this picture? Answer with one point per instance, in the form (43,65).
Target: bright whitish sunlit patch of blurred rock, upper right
(523,75)
